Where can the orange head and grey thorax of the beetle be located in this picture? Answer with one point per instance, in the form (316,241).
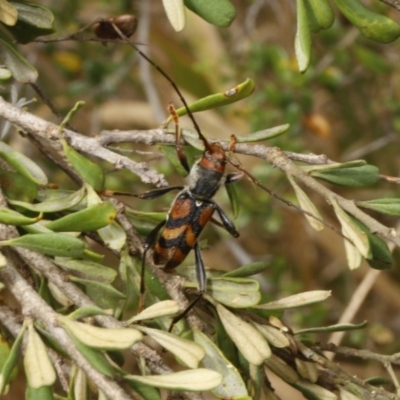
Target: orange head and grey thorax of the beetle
(207,174)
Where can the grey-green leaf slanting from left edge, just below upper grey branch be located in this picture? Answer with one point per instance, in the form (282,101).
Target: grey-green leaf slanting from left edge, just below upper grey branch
(24,165)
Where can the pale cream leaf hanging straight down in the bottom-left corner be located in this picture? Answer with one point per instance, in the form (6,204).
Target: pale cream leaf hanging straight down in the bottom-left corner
(38,367)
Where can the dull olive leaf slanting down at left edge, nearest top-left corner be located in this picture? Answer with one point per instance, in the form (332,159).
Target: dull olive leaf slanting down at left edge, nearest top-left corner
(21,69)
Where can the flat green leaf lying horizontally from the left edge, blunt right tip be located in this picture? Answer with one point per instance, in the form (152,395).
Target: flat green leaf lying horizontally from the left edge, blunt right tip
(51,244)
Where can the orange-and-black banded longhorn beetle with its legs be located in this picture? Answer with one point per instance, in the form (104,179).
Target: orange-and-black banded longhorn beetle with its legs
(173,238)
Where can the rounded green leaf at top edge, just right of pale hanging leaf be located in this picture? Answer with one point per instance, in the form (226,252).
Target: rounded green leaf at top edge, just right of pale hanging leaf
(220,13)
